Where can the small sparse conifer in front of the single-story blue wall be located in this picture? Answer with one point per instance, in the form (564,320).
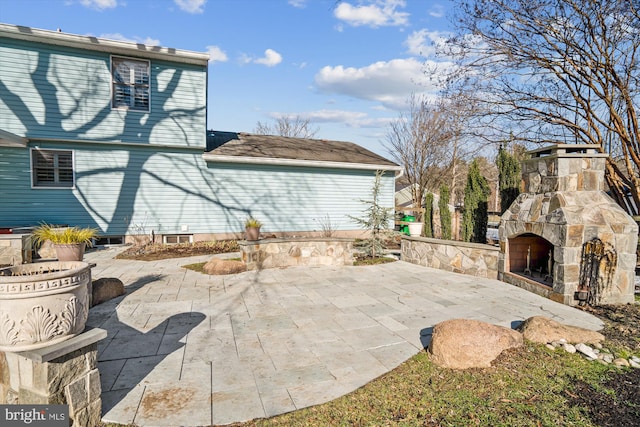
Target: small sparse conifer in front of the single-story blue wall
(376,219)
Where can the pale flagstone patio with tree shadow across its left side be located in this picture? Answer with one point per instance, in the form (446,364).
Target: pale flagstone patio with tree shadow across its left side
(189,349)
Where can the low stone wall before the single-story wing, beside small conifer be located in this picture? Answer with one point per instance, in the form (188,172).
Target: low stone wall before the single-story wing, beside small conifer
(273,253)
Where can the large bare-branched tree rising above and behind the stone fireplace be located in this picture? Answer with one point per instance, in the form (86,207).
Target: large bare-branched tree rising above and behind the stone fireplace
(556,71)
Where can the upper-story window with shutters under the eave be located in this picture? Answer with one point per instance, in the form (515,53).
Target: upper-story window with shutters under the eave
(130,83)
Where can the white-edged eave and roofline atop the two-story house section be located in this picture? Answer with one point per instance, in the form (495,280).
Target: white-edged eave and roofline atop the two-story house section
(103,45)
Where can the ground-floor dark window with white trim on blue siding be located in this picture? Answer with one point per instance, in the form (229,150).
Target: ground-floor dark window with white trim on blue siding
(52,168)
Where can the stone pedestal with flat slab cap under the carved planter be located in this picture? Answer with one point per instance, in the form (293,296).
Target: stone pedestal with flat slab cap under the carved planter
(63,373)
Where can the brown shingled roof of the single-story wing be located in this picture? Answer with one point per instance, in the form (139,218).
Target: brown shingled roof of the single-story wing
(232,147)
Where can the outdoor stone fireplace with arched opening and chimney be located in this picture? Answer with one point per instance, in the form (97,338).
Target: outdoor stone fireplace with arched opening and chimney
(564,237)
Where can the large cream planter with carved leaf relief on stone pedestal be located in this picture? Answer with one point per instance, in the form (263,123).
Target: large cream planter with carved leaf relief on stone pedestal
(42,303)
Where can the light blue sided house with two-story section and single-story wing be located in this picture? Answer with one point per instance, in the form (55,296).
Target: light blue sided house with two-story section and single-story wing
(113,135)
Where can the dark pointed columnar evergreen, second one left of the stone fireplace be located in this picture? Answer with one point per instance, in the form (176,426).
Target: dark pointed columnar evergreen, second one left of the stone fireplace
(475,216)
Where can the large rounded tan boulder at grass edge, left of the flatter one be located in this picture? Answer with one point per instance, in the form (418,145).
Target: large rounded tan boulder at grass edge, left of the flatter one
(462,343)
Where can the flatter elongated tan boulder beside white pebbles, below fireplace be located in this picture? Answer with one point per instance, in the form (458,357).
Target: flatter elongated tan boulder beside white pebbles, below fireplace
(543,330)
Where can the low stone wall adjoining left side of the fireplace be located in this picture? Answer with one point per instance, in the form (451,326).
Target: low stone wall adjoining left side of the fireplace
(459,257)
